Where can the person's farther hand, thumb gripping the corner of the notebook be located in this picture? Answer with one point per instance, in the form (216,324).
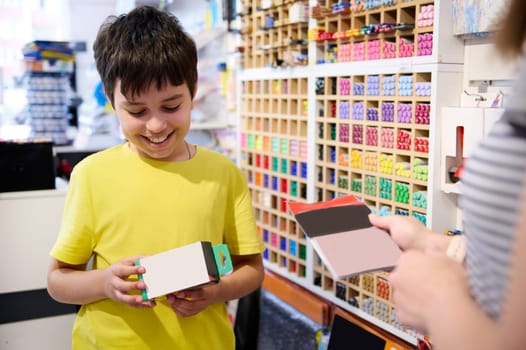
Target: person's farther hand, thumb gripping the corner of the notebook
(409,233)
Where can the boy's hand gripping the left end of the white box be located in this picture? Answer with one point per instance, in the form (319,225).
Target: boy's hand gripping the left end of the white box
(118,285)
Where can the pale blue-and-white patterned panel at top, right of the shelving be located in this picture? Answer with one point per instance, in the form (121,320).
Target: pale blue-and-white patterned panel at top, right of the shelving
(476,17)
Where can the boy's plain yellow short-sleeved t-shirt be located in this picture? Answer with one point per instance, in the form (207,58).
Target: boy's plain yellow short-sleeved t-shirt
(120,205)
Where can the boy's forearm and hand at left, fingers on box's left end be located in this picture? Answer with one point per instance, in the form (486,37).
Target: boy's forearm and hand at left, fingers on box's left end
(73,284)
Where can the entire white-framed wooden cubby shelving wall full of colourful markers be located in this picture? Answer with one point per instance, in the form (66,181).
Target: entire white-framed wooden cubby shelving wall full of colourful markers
(357,119)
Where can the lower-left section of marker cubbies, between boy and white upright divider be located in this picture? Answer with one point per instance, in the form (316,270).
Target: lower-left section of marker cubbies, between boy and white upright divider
(274,143)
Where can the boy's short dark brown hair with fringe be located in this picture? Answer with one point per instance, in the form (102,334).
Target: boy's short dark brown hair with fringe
(144,47)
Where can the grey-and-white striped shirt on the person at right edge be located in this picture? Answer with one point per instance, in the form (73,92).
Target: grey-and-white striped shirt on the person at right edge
(491,189)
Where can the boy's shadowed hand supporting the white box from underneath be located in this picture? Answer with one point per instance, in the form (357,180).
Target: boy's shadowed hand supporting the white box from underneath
(192,301)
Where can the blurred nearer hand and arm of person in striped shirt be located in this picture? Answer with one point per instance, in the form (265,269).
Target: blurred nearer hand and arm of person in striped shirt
(431,294)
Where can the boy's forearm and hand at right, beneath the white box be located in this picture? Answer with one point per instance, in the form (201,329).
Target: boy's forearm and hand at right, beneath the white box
(247,276)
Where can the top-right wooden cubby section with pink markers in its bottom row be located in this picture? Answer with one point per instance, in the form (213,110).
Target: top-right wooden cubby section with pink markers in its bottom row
(393,32)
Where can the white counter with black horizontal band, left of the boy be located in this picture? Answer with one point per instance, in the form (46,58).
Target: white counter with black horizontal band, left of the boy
(30,319)
